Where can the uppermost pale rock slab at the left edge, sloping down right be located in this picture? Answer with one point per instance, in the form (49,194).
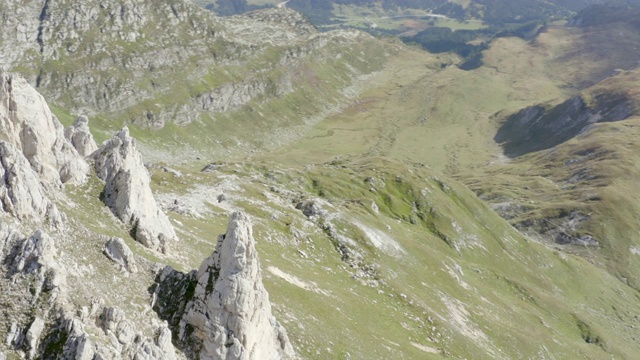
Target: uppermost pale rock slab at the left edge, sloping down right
(27,123)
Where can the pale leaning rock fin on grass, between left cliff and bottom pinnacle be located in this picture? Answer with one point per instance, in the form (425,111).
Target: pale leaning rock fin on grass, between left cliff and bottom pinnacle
(127,191)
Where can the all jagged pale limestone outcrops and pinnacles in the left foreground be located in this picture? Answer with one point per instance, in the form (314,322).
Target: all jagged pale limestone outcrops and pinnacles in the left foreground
(42,276)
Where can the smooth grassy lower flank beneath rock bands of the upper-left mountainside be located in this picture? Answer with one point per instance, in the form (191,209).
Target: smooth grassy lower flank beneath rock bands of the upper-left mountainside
(319,83)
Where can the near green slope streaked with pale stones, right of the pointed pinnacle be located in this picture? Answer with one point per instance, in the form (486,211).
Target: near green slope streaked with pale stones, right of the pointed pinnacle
(446,292)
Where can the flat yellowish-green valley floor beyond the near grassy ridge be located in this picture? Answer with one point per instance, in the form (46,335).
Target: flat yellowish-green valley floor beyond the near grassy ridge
(444,118)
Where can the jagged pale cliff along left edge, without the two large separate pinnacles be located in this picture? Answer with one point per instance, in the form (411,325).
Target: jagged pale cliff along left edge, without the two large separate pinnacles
(39,277)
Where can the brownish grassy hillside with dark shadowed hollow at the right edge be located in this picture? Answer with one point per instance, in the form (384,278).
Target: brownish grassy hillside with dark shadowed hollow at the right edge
(571,193)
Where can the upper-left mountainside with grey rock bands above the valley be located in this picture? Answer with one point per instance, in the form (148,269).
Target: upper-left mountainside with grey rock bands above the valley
(172,64)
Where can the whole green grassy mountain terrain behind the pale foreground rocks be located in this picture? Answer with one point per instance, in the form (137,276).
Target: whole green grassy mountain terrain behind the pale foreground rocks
(403,207)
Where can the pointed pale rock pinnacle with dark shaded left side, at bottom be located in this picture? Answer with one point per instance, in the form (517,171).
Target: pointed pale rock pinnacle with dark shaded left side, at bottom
(230,311)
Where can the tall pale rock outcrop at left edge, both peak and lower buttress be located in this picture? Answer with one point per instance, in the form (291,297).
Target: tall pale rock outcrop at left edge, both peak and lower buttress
(36,159)
